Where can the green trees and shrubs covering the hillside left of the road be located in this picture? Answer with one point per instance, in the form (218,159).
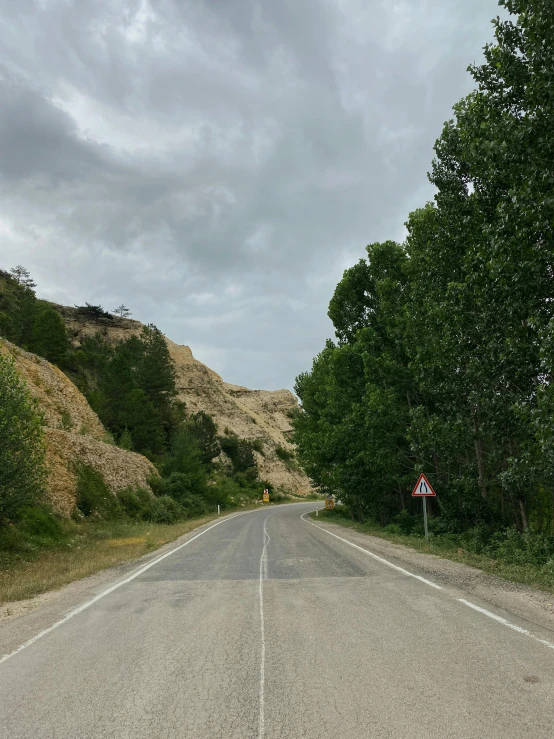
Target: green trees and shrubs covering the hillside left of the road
(131,386)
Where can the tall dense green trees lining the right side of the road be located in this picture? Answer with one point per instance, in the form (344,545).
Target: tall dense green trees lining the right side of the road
(444,351)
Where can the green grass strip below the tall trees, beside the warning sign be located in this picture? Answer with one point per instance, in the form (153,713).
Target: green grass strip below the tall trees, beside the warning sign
(538,576)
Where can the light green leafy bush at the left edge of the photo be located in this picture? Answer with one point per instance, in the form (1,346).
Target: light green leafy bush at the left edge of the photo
(22,471)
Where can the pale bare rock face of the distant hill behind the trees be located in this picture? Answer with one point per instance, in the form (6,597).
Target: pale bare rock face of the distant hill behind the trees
(260,415)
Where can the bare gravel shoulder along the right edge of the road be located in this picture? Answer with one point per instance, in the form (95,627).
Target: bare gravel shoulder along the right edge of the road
(535,606)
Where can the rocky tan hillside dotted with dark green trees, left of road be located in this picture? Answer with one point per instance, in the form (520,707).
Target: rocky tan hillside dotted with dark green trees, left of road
(118,408)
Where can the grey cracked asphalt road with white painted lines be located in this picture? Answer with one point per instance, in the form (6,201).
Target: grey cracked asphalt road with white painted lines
(267,627)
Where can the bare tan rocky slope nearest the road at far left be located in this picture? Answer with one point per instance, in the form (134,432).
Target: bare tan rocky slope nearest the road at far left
(73,433)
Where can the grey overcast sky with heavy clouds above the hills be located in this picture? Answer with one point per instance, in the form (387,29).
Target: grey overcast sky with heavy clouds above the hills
(216,164)
